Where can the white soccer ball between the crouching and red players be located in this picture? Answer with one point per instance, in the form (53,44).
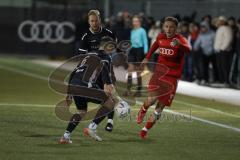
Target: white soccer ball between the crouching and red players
(122,109)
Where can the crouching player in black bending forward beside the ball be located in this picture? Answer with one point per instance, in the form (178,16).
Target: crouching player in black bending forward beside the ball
(91,76)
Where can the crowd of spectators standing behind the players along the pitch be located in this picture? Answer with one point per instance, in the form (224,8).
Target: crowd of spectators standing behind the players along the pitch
(215,41)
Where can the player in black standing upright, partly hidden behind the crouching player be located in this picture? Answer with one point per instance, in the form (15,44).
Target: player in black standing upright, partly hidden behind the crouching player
(90,42)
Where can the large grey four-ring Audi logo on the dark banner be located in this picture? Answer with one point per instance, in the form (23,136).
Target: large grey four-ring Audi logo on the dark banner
(42,31)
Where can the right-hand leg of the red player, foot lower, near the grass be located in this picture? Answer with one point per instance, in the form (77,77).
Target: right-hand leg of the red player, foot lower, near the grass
(152,120)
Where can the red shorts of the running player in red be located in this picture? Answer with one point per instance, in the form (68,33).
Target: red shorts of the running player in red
(164,88)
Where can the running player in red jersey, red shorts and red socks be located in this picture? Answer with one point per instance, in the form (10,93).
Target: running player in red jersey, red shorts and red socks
(163,83)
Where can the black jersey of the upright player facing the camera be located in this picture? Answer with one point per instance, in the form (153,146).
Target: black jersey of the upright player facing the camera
(90,41)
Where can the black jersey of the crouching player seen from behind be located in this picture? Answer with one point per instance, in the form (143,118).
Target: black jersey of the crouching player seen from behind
(94,68)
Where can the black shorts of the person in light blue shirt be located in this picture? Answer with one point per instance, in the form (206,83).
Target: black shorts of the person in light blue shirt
(136,55)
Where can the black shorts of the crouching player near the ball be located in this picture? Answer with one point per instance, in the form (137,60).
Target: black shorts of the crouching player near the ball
(81,102)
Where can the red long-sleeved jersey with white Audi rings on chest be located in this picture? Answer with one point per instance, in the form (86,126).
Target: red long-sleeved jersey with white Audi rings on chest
(170,56)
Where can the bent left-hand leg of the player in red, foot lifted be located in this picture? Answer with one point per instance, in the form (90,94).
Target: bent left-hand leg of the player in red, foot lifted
(143,110)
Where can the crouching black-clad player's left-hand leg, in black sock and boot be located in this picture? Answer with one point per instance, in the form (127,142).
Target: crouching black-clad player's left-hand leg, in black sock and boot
(81,105)
